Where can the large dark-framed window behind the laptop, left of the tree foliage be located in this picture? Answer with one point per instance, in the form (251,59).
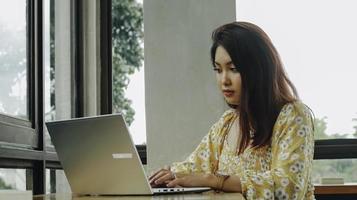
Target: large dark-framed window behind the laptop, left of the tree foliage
(59,41)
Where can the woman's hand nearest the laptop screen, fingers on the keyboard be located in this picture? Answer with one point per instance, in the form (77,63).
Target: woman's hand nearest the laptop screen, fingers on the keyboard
(161,177)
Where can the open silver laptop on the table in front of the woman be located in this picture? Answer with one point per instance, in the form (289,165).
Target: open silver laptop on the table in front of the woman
(99,157)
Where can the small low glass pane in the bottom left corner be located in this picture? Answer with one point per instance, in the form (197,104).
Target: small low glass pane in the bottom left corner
(14,179)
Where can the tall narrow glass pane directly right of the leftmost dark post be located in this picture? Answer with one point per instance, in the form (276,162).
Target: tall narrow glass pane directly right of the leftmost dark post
(57,52)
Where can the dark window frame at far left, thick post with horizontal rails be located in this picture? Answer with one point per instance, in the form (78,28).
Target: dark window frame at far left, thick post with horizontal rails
(15,155)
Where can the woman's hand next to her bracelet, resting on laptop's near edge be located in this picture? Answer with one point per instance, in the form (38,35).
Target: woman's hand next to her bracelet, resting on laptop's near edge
(194,180)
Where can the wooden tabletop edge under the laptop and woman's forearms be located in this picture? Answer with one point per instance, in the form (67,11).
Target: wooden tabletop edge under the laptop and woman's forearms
(204,196)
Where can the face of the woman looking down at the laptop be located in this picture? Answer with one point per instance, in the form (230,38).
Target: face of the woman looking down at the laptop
(228,78)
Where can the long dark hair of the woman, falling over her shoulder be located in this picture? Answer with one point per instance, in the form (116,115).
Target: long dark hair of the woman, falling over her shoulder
(265,85)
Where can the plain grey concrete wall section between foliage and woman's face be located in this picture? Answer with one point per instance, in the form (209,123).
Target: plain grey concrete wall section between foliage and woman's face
(182,99)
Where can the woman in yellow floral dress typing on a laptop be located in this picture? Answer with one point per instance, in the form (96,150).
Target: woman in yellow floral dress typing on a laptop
(263,146)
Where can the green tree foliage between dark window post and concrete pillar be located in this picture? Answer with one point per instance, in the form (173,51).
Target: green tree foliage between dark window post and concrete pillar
(127,51)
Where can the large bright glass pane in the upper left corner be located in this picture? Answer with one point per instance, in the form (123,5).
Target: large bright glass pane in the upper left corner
(13,62)
